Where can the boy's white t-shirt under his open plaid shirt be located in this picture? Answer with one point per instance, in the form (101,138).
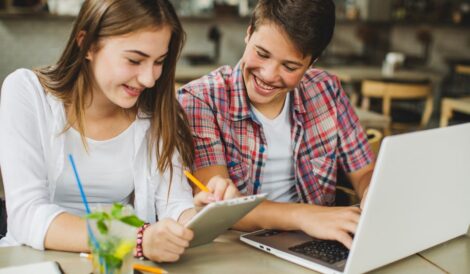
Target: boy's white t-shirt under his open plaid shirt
(278,176)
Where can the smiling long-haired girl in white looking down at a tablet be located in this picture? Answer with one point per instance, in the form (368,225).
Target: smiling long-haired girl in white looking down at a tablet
(109,101)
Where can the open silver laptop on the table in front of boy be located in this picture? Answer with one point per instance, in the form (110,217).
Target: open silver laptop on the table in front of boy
(419,197)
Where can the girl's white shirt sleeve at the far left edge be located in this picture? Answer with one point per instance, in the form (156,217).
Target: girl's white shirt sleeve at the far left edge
(22,160)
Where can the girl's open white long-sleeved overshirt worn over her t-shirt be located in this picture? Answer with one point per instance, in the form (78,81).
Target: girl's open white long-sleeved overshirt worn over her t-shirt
(32,158)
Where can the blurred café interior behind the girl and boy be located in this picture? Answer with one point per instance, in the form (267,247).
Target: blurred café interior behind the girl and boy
(398,60)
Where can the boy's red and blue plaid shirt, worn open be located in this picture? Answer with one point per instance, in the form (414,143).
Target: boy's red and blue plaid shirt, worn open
(324,129)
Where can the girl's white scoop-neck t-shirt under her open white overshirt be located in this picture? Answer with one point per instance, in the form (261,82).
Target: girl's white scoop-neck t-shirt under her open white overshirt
(105,171)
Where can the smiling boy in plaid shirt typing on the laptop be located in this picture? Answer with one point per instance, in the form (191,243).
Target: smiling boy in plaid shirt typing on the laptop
(273,124)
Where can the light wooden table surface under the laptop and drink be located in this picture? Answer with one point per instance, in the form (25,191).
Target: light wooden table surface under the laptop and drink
(228,255)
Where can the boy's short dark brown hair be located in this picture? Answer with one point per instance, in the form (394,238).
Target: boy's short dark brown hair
(308,23)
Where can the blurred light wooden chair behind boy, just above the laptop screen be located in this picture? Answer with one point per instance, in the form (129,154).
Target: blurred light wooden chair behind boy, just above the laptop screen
(397,90)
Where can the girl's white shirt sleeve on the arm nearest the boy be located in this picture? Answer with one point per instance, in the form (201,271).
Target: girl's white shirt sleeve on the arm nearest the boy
(173,198)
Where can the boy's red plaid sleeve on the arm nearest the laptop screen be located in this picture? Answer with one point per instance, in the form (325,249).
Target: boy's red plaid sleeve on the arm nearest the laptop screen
(354,150)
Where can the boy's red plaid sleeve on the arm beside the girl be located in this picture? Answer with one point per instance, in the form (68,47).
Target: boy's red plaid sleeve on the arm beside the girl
(209,148)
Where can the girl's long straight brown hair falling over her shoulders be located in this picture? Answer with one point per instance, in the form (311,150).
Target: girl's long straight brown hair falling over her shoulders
(71,79)
